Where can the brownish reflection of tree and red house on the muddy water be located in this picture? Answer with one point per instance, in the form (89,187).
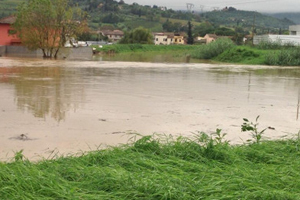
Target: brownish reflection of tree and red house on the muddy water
(44,91)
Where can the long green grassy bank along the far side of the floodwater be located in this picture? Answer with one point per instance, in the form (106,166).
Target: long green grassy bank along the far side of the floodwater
(221,51)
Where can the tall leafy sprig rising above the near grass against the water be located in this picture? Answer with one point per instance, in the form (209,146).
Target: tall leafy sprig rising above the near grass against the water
(253,128)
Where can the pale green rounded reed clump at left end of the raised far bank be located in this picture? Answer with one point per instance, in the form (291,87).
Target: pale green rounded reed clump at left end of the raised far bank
(212,49)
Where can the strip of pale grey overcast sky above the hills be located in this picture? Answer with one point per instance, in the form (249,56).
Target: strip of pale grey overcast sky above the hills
(250,5)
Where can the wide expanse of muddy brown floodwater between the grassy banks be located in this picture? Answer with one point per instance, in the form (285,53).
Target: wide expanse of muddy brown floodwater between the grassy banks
(60,107)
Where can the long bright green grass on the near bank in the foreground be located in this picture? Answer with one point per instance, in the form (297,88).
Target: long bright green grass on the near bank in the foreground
(162,168)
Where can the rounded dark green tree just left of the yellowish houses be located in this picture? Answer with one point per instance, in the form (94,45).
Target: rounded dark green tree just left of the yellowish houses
(137,36)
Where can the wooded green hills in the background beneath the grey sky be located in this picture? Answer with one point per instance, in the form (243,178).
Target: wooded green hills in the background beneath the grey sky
(117,14)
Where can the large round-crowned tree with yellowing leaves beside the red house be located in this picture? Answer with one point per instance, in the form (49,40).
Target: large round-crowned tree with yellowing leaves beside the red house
(48,24)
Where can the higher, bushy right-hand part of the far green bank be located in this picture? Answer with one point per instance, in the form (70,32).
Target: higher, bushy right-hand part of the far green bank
(266,53)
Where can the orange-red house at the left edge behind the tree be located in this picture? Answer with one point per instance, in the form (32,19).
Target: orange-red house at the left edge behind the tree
(6,32)
